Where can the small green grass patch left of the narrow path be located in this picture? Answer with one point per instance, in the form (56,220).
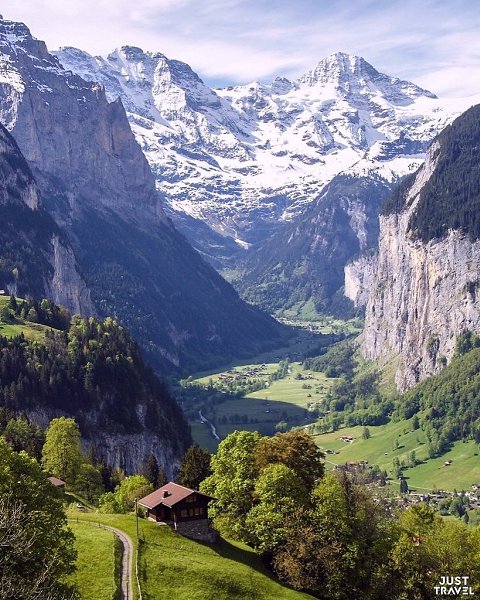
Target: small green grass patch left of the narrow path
(95,565)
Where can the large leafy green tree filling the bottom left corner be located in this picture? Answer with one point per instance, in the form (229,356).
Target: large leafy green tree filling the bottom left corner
(37,549)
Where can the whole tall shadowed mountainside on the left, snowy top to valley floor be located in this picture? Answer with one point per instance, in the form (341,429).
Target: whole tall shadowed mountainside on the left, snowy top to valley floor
(97,184)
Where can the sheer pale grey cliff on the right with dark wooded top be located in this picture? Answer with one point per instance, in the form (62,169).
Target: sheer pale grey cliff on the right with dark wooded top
(424,291)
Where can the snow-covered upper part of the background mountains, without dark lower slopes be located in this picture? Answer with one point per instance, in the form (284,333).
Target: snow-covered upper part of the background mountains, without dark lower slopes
(244,159)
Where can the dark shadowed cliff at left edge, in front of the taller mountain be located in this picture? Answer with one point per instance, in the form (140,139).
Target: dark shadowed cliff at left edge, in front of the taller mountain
(36,259)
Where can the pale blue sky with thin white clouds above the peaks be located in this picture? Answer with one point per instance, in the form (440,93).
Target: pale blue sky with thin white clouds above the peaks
(434,43)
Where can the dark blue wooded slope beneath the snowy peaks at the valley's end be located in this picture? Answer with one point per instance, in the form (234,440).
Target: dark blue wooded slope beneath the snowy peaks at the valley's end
(304,261)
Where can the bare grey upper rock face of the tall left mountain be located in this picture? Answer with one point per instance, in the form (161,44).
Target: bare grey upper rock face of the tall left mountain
(70,134)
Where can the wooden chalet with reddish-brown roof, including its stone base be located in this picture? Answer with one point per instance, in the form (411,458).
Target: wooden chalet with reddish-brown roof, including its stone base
(182,508)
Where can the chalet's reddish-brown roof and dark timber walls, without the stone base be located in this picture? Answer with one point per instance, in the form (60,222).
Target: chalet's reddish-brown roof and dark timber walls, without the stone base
(174,503)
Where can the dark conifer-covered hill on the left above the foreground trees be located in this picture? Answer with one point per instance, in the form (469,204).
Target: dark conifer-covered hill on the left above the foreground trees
(91,370)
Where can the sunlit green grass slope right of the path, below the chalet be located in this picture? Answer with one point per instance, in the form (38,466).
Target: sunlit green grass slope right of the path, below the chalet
(174,567)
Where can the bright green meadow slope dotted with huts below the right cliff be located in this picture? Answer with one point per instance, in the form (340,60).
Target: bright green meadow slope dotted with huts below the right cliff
(380,449)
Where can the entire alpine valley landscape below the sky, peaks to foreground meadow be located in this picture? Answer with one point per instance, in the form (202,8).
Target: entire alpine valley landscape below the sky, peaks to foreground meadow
(248,314)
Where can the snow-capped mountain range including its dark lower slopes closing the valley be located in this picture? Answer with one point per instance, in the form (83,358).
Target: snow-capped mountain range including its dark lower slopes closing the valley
(273,181)
